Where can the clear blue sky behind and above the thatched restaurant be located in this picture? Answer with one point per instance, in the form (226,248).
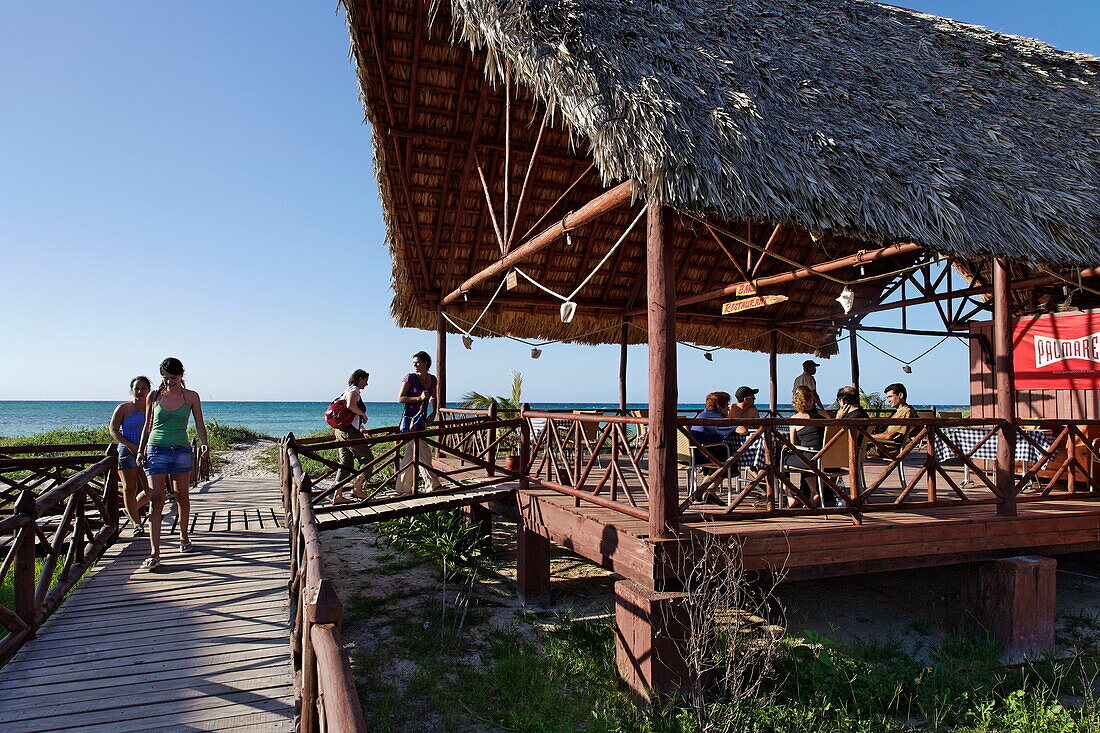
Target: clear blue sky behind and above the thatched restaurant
(195,179)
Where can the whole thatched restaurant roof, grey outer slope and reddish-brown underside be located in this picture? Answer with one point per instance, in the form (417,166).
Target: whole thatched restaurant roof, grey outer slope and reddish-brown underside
(852,124)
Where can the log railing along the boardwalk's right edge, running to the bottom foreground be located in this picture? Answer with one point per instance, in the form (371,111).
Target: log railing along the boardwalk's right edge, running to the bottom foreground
(324,681)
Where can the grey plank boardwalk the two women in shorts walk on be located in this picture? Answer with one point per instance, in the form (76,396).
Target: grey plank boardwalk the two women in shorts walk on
(200,644)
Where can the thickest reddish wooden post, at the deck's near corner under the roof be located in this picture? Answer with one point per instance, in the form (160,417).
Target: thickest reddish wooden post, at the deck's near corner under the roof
(661,289)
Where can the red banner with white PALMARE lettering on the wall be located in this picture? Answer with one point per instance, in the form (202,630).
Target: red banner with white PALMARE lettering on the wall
(1058,353)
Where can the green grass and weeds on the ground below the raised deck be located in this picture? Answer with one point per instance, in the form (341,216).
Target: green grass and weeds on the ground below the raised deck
(566,681)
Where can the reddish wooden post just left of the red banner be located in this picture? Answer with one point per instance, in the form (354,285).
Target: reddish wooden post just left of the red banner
(1006,389)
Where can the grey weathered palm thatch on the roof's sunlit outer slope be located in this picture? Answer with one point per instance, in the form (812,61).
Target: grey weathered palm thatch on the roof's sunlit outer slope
(841,116)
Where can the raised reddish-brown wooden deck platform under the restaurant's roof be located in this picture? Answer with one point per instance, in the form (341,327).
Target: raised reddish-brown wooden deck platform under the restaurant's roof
(817,546)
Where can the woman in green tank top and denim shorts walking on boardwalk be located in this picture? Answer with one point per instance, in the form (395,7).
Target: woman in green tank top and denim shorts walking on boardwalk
(167,455)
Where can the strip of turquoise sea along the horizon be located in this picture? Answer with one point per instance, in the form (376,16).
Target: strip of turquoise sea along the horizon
(277,419)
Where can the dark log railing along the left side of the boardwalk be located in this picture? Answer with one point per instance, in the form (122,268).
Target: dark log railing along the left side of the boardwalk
(64,515)
